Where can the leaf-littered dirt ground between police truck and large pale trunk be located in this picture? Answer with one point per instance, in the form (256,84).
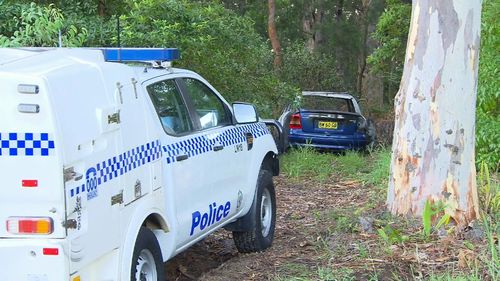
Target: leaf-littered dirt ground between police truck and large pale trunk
(310,236)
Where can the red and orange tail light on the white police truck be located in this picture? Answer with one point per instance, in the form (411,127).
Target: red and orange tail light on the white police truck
(30,225)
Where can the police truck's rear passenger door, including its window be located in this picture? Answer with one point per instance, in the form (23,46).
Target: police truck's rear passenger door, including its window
(187,153)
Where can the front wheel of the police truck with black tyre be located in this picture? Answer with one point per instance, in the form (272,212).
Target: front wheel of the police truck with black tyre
(264,216)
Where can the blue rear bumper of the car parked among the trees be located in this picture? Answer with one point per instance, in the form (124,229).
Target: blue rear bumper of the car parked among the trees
(331,142)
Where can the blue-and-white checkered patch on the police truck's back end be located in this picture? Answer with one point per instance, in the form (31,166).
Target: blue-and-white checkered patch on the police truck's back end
(26,144)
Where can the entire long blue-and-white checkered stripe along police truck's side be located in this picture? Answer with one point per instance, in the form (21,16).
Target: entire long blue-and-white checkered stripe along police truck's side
(118,165)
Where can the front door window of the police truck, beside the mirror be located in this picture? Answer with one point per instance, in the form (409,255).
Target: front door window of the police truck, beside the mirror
(209,108)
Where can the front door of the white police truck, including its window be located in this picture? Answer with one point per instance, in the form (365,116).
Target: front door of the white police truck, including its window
(227,167)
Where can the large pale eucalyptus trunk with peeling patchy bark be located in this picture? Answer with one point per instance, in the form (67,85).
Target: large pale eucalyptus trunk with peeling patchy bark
(433,147)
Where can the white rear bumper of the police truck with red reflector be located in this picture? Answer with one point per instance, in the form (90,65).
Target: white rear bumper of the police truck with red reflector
(24,260)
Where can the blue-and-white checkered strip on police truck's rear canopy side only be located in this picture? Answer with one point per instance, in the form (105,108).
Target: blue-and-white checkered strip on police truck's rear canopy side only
(118,165)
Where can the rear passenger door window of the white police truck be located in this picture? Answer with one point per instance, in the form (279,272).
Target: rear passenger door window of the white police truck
(170,107)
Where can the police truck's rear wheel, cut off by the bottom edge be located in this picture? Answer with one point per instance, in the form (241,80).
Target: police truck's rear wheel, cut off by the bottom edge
(147,263)
